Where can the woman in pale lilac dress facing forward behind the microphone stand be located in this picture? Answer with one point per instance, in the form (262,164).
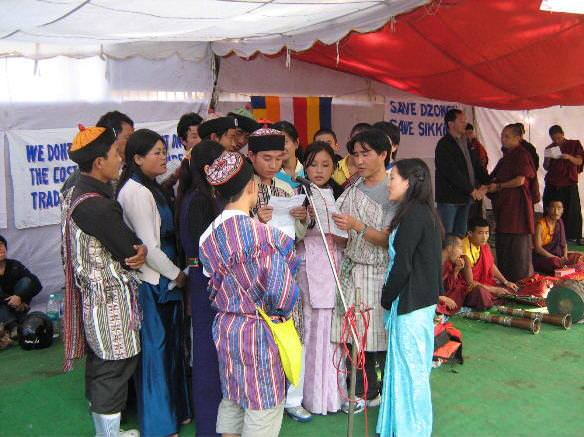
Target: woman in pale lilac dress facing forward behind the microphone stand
(315,278)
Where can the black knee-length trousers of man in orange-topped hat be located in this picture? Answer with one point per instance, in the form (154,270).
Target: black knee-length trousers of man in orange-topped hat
(106,382)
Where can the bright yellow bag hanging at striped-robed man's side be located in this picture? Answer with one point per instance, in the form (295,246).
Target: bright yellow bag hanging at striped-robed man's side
(289,346)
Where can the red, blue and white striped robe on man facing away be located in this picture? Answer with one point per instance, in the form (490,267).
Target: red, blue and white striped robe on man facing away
(250,264)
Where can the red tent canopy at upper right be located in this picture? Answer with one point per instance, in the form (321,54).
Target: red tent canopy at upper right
(504,54)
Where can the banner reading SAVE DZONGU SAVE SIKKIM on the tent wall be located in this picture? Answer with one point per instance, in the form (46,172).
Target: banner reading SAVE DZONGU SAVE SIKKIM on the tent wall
(421,124)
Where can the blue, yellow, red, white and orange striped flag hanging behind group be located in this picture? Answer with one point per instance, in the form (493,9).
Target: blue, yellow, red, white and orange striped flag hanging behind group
(309,114)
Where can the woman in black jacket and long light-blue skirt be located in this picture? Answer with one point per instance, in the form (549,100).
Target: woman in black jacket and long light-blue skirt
(410,294)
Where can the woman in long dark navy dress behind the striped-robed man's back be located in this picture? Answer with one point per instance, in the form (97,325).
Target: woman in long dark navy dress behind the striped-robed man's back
(197,210)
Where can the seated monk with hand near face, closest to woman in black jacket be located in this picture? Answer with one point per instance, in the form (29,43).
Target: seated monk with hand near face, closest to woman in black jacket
(456,290)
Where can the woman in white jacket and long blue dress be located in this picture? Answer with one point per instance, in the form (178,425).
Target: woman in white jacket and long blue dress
(163,399)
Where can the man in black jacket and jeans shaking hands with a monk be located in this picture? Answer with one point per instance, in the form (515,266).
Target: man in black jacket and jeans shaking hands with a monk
(460,179)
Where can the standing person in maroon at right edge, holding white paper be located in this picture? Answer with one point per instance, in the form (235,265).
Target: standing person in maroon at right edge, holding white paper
(564,162)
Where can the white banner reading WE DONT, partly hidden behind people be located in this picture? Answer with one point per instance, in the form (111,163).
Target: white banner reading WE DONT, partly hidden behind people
(39,164)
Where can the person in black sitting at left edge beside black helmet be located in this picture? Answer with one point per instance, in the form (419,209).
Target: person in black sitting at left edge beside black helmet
(17,288)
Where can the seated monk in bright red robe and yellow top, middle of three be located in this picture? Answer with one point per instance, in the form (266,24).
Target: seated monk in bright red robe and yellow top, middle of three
(480,269)
